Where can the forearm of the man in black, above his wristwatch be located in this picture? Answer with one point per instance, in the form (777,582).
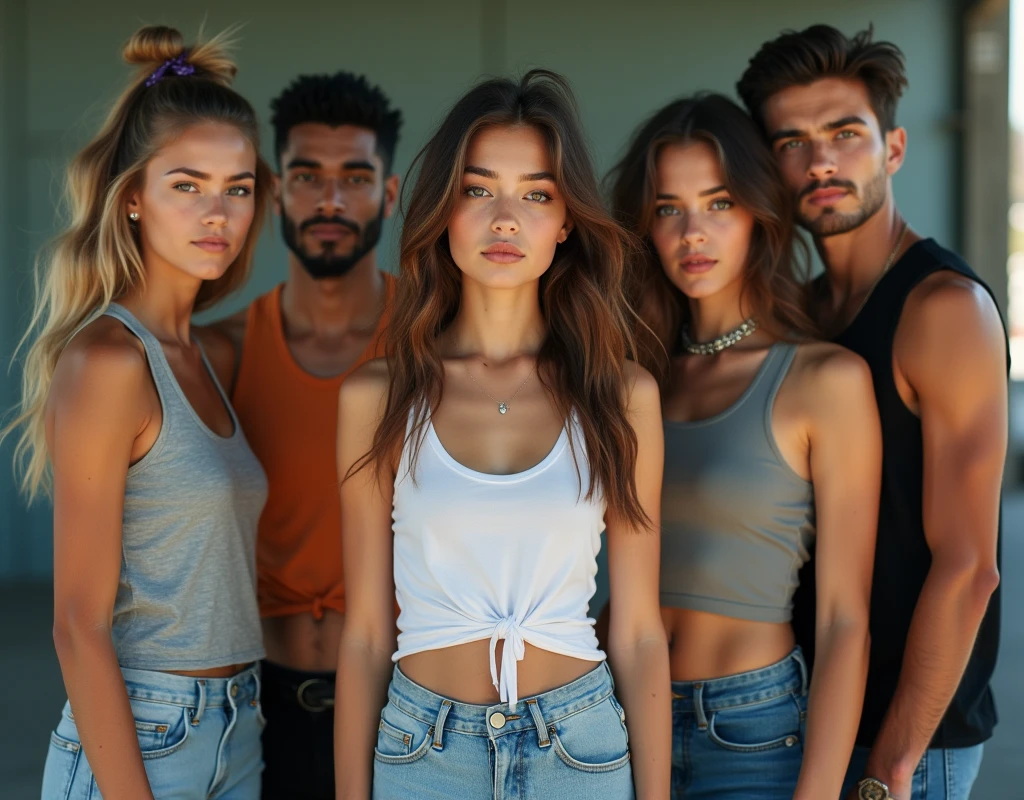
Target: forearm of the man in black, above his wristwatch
(946,623)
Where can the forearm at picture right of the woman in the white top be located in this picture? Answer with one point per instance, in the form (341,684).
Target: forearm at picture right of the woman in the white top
(645,688)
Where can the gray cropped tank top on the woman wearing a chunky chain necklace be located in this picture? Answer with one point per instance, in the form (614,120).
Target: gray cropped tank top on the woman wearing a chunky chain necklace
(737,521)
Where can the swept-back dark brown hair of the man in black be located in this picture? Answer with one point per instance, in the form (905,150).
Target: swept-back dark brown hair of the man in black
(822,52)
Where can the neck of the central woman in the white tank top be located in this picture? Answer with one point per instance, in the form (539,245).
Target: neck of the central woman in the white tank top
(497,324)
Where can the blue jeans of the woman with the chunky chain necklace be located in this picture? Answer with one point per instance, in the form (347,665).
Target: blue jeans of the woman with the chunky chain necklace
(741,737)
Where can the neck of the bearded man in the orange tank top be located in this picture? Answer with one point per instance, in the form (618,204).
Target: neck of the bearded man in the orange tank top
(330,305)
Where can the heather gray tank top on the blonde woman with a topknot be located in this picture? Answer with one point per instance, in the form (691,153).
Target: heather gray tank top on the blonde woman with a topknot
(187,596)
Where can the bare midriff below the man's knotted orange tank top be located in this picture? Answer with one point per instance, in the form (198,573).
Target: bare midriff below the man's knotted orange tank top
(301,642)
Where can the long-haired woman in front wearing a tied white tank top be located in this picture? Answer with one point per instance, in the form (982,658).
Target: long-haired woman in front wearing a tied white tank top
(483,457)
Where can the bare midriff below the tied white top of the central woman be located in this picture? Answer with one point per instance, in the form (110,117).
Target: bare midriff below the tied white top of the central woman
(462,672)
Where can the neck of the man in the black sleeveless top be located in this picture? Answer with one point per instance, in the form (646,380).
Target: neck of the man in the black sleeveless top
(856,261)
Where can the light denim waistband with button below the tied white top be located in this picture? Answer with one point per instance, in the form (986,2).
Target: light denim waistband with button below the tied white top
(531,713)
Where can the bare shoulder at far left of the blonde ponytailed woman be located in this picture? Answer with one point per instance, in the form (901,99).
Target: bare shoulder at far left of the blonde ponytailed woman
(105,362)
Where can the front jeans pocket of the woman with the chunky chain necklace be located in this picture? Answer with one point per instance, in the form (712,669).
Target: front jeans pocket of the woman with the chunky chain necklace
(765,726)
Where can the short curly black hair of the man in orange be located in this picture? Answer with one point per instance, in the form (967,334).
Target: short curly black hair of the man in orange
(343,99)
